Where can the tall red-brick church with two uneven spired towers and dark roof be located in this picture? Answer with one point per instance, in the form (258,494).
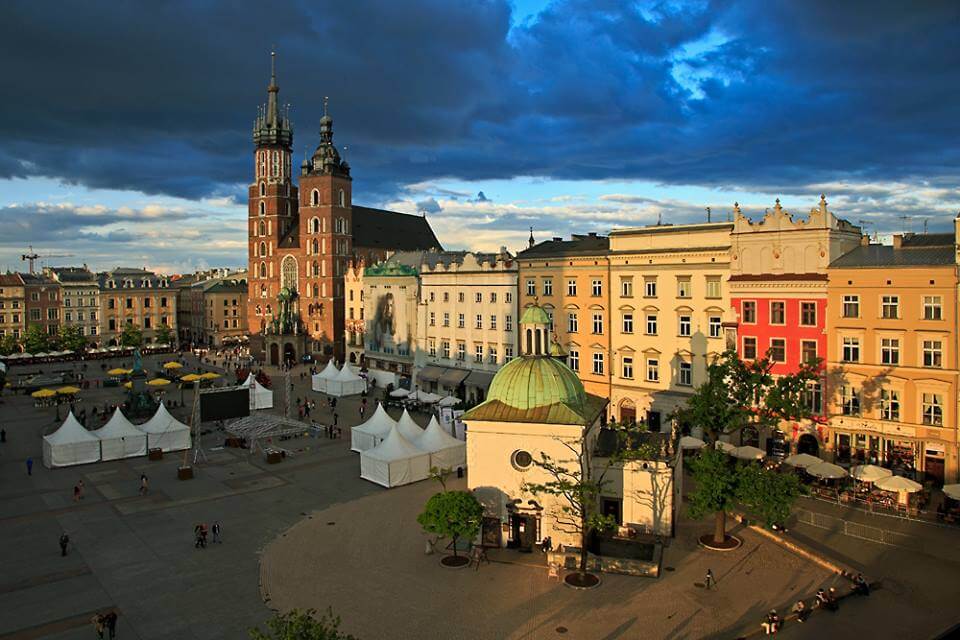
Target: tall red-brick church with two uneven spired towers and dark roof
(303,237)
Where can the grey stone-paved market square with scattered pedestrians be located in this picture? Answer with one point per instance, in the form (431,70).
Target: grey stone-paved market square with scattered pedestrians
(135,554)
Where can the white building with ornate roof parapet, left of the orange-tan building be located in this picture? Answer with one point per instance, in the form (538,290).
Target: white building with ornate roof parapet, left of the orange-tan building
(468,321)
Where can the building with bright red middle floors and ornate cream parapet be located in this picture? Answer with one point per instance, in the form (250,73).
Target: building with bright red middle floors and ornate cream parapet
(778,291)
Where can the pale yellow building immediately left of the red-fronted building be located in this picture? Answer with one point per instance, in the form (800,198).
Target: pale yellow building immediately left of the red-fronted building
(669,299)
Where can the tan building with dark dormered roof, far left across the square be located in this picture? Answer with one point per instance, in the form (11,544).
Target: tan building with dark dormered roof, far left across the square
(139,297)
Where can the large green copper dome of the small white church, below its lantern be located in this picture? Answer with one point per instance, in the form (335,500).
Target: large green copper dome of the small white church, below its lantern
(531,382)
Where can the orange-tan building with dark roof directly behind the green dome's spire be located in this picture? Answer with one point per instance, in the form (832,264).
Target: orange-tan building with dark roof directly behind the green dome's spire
(570,279)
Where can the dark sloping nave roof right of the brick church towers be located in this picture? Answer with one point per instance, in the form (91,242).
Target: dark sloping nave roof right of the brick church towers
(392,231)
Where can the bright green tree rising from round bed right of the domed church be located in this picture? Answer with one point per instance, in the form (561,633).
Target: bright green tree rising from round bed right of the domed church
(716,479)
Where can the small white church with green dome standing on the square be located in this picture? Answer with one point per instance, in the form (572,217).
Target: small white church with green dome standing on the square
(537,405)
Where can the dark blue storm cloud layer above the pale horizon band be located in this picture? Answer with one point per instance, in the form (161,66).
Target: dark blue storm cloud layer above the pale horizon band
(160,97)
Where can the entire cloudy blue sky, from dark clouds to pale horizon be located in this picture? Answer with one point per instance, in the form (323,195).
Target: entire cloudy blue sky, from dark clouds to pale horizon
(126,127)
